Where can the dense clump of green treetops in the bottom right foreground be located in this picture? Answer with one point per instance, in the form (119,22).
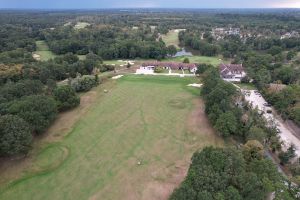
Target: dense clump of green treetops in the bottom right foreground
(217,173)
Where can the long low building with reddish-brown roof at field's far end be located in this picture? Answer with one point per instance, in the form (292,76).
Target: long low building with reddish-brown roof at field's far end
(149,67)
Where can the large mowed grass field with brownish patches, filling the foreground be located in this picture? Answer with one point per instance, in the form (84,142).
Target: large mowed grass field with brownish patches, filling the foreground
(134,143)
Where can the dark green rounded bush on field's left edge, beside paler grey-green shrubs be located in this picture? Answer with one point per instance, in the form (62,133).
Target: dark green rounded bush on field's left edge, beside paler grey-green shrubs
(66,98)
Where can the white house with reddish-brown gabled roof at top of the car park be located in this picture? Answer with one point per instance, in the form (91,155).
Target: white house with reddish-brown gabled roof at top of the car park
(232,72)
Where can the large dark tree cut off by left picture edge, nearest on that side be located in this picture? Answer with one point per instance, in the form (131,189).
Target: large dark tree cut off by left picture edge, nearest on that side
(15,135)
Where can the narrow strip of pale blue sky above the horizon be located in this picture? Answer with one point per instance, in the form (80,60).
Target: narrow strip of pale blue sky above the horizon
(98,4)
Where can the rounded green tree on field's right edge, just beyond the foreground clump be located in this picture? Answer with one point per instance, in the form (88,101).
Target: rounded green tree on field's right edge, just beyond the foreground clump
(226,124)
